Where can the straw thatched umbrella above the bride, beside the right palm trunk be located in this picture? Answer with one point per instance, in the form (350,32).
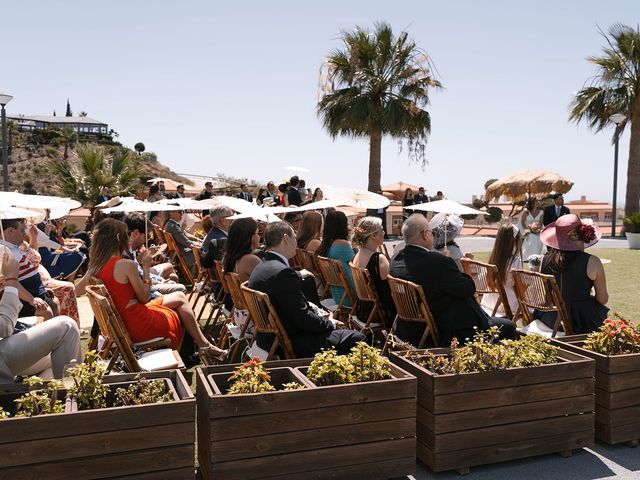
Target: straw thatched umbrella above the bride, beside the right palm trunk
(519,186)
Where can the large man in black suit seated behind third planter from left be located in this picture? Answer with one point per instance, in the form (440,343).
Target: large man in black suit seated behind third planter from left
(448,291)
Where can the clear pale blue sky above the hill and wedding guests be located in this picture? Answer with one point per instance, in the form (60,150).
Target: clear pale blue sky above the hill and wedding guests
(214,87)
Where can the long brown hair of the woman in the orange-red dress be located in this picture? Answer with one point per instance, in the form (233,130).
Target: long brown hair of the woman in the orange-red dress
(110,237)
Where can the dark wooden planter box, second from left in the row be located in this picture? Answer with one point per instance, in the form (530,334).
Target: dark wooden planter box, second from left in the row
(363,430)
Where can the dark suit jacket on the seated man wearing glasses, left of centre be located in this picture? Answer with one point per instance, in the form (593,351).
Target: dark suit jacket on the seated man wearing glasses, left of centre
(284,287)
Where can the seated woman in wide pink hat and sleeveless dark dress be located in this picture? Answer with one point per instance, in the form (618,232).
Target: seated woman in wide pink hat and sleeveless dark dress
(576,272)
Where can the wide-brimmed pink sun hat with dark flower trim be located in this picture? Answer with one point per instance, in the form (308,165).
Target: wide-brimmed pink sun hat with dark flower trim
(570,233)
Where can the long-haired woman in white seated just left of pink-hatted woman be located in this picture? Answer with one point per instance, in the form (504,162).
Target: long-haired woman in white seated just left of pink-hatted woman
(506,256)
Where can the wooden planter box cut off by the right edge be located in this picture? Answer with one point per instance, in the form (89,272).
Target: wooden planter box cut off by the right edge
(617,392)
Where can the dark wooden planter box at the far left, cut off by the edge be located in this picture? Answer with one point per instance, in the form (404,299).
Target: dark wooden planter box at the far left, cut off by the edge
(141,441)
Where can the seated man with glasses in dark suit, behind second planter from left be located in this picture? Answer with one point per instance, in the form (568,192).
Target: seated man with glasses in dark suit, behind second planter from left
(309,332)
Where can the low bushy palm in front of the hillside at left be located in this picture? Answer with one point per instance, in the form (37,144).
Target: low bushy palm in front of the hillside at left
(83,179)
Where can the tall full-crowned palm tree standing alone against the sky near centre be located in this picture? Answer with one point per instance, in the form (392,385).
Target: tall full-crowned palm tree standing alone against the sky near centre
(377,85)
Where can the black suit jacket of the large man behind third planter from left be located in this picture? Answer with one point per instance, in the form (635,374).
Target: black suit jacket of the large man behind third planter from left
(449,293)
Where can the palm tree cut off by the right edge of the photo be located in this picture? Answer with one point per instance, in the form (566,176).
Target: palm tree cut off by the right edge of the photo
(616,89)
